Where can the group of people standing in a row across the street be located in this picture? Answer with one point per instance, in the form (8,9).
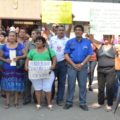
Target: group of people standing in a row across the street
(75,58)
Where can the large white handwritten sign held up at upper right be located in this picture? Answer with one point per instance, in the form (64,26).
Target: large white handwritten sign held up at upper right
(105,20)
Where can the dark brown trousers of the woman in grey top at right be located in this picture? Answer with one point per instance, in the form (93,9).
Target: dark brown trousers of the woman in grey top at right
(108,80)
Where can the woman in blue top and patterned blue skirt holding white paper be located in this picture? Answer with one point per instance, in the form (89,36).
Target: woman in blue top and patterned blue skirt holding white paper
(12,80)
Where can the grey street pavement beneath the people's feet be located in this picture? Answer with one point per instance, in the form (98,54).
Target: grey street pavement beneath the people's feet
(29,112)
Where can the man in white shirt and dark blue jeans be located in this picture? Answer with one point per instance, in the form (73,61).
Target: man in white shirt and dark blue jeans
(57,43)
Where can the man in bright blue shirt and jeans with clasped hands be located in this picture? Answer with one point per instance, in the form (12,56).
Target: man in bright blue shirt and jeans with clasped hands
(77,53)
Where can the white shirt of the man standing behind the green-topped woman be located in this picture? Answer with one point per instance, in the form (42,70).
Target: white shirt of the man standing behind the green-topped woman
(58,45)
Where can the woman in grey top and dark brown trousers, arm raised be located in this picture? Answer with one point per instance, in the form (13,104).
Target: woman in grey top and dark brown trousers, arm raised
(106,72)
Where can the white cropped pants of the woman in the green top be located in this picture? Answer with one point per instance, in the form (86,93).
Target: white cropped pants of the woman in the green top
(44,84)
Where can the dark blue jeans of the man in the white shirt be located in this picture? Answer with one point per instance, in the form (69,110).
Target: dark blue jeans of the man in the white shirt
(60,73)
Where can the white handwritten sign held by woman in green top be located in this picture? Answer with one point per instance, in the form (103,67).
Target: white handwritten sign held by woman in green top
(39,70)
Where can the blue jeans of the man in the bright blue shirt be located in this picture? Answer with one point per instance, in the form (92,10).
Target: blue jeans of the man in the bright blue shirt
(81,76)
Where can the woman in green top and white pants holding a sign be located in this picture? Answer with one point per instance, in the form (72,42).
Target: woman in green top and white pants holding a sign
(41,53)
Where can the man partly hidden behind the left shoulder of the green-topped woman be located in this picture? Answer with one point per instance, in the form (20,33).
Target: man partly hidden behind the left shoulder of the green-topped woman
(30,45)
